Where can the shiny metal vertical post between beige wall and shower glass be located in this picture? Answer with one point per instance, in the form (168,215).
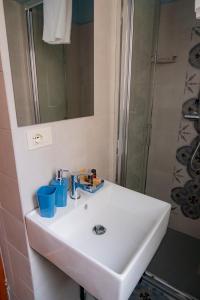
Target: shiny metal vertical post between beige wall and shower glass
(124,89)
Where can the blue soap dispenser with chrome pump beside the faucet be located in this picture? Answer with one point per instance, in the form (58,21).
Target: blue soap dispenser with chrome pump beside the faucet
(61,184)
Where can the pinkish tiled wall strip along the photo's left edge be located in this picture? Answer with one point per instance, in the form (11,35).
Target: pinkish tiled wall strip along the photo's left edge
(13,242)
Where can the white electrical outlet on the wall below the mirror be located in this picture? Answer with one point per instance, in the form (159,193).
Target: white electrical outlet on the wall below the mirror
(39,137)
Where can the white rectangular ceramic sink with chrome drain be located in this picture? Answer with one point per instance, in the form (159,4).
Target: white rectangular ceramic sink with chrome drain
(109,265)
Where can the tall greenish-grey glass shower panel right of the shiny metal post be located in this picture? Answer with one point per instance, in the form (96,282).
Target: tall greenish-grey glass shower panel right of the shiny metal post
(145,27)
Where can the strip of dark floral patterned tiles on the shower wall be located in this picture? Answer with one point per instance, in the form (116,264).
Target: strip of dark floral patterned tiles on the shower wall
(186,176)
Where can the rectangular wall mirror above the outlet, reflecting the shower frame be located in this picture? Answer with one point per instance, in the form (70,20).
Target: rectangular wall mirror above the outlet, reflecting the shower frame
(51,82)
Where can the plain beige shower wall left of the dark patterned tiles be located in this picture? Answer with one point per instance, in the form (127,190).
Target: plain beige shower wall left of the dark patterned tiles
(169,130)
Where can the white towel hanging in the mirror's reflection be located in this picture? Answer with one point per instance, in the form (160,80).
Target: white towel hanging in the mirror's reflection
(57,21)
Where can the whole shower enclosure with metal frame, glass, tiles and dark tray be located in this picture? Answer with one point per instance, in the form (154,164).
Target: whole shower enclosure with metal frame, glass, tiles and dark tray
(159,127)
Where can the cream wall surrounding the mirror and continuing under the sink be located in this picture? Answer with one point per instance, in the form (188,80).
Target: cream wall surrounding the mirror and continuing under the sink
(85,142)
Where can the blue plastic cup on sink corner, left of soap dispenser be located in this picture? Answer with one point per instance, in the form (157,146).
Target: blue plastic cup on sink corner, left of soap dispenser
(46,200)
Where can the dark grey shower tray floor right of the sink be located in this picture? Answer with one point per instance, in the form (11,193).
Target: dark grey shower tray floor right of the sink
(177,262)
